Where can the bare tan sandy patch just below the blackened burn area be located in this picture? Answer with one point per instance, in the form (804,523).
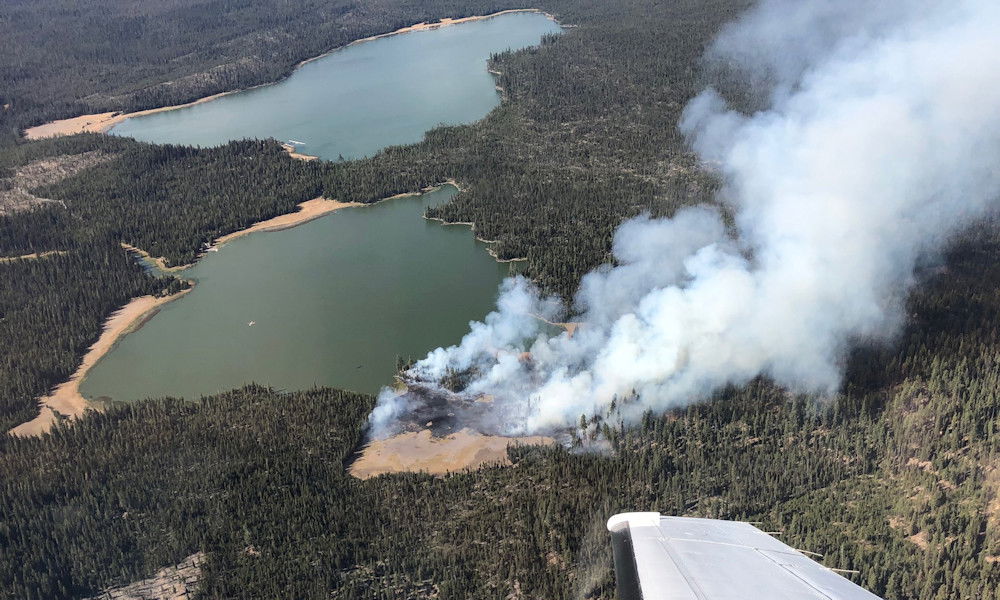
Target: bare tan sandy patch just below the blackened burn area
(420,452)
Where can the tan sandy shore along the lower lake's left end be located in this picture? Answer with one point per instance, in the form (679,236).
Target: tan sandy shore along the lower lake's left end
(66,400)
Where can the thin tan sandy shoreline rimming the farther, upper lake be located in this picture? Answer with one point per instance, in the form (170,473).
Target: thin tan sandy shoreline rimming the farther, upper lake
(102,122)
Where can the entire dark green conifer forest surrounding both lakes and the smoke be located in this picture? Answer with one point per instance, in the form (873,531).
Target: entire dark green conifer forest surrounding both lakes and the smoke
(895,477)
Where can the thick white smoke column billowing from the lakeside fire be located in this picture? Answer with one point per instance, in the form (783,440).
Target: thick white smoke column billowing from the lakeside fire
(876,139)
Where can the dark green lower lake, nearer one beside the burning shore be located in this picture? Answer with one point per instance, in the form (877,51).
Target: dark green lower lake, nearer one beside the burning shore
(332,302)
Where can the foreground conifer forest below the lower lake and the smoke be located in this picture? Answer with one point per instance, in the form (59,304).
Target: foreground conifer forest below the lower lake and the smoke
(895,478)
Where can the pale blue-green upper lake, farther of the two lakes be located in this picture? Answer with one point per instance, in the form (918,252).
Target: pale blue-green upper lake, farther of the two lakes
(362,98)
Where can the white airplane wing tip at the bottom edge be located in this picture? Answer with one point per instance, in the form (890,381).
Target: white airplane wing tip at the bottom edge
(679,558)
